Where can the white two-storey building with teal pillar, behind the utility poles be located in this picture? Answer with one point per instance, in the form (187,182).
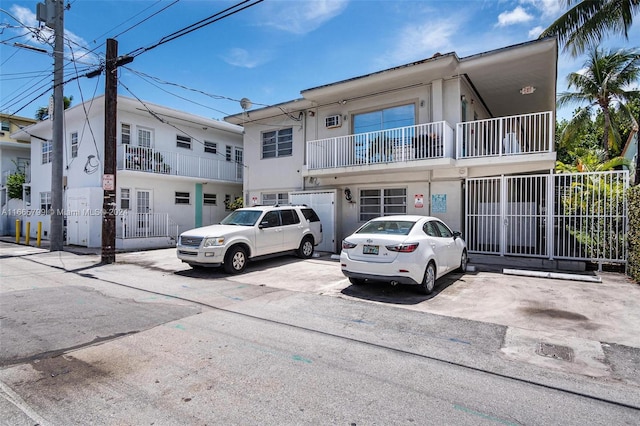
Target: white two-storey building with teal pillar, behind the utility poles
(175,171)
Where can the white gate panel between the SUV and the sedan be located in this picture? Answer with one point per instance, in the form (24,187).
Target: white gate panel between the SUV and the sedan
(324,204)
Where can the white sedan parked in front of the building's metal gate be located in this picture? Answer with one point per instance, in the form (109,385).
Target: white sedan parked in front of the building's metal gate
(403,249)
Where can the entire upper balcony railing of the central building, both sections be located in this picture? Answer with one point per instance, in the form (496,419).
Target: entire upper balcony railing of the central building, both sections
(513,135)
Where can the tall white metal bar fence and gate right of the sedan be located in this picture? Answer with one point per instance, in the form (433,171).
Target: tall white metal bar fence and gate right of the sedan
(581,216)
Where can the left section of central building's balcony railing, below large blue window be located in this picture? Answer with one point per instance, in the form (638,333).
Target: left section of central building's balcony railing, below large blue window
(420,142)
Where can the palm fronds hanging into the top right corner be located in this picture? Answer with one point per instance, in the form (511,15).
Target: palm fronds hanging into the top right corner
(586,23)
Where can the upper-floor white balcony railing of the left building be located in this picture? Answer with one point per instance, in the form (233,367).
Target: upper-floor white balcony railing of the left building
(148,160)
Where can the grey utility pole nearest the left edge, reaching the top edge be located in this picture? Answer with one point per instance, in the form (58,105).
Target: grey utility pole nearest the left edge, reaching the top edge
(52,14)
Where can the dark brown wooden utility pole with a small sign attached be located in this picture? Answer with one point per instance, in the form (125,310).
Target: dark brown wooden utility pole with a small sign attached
(109,171)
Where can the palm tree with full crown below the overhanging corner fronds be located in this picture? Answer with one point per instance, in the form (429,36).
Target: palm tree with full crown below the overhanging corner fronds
(606,80)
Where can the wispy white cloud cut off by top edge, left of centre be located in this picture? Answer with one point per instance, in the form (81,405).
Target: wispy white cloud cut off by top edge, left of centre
(301,17)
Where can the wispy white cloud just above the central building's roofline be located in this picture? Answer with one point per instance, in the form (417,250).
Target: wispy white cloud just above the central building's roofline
(422,41)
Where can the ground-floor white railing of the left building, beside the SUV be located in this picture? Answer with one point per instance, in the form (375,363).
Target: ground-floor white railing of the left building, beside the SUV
(145,225)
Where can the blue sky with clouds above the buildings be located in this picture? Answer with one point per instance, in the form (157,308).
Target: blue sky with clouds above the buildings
(267,53)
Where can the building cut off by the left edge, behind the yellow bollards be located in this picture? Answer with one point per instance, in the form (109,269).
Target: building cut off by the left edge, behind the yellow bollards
(14,158)
